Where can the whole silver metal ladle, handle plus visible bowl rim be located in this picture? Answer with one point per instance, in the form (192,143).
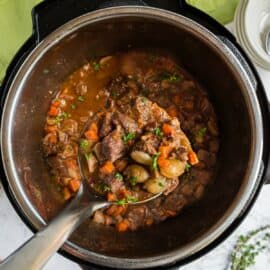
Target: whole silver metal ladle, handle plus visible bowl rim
(41,246)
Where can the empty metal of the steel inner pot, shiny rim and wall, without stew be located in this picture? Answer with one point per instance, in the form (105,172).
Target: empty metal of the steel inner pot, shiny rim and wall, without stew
(231,90)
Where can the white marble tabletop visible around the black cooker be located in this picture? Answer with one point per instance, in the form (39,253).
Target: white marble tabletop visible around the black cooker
(13,231)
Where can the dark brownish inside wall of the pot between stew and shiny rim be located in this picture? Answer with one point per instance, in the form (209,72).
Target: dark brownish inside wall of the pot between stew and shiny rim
(107,37)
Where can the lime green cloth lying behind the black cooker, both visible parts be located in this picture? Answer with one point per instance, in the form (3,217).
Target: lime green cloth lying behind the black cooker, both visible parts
(15,22)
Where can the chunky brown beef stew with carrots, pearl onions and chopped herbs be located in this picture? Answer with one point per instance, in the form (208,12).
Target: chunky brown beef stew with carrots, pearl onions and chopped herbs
(150,129)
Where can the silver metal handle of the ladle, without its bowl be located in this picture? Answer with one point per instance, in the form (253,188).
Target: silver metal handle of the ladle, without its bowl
(38,249)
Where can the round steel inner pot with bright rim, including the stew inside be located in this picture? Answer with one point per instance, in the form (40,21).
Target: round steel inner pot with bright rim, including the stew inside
(170,109)
